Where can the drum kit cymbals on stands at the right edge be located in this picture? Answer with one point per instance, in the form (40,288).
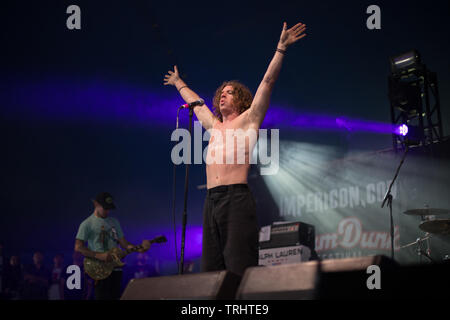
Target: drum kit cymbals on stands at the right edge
(431,226)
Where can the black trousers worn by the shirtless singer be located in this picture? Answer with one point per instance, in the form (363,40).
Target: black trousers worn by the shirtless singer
(230,229)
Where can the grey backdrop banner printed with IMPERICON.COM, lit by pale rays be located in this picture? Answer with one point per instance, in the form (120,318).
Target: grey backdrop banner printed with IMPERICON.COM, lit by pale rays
(342,199)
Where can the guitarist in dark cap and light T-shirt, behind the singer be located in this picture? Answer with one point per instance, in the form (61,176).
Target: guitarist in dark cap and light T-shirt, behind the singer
(102,233)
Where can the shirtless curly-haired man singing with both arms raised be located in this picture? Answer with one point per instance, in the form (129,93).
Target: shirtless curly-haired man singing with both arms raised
(230,227)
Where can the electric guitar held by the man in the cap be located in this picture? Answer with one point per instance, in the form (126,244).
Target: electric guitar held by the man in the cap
(99,270)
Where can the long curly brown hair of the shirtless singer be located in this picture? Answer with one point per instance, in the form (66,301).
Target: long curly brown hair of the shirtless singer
(242,97)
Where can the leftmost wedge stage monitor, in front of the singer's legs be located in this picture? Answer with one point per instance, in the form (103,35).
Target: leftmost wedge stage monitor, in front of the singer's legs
(217,285)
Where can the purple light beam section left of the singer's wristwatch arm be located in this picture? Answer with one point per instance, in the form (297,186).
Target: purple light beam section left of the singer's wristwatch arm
(89,100)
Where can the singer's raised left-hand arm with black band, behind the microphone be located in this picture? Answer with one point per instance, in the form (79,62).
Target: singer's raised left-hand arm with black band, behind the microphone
(203,113)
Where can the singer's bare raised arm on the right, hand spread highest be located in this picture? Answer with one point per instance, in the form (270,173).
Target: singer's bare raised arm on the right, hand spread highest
(261,100)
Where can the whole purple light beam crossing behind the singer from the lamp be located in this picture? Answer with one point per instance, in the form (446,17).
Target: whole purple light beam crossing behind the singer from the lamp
(101,101)
